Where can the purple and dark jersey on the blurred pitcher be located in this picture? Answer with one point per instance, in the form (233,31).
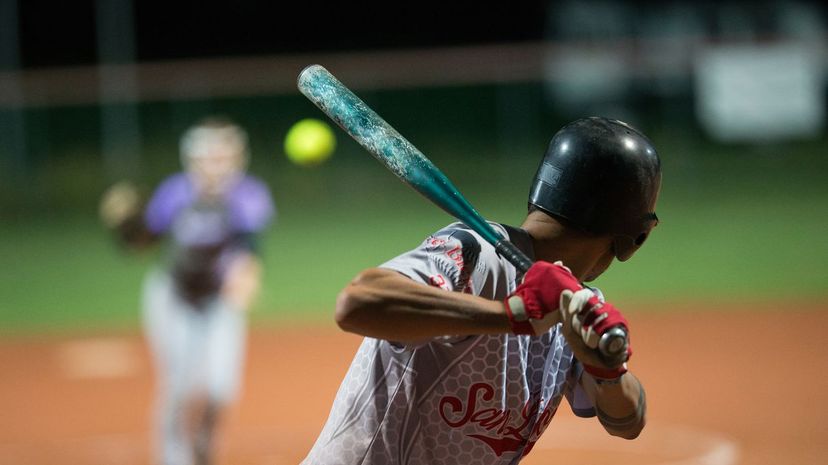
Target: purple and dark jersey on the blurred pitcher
(205,235)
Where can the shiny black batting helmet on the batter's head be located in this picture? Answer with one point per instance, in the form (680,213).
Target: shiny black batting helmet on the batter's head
(603,176)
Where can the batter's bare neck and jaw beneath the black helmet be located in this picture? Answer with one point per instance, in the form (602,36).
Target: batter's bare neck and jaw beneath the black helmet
(552,242)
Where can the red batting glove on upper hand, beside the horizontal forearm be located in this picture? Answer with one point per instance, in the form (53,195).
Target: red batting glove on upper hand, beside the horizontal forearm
(533,307)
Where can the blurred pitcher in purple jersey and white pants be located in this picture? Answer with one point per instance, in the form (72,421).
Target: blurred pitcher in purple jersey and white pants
(194,303)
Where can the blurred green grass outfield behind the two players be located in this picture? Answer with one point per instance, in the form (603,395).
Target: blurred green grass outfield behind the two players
(727,233)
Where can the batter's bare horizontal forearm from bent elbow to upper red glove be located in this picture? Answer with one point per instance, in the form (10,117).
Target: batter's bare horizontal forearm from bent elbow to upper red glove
(384,304)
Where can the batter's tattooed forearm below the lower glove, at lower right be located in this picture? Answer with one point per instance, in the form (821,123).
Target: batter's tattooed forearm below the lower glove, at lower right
(620,407)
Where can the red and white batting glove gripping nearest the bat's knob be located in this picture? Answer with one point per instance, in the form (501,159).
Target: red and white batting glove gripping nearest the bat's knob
(585,319)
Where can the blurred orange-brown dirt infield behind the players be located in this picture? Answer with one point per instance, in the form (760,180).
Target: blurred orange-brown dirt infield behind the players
(715,399)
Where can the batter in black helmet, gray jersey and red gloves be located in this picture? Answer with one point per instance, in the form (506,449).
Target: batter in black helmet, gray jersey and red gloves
(464,360)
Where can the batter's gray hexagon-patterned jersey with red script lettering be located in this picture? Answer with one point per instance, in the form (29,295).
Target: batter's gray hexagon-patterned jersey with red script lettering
(471,399)
